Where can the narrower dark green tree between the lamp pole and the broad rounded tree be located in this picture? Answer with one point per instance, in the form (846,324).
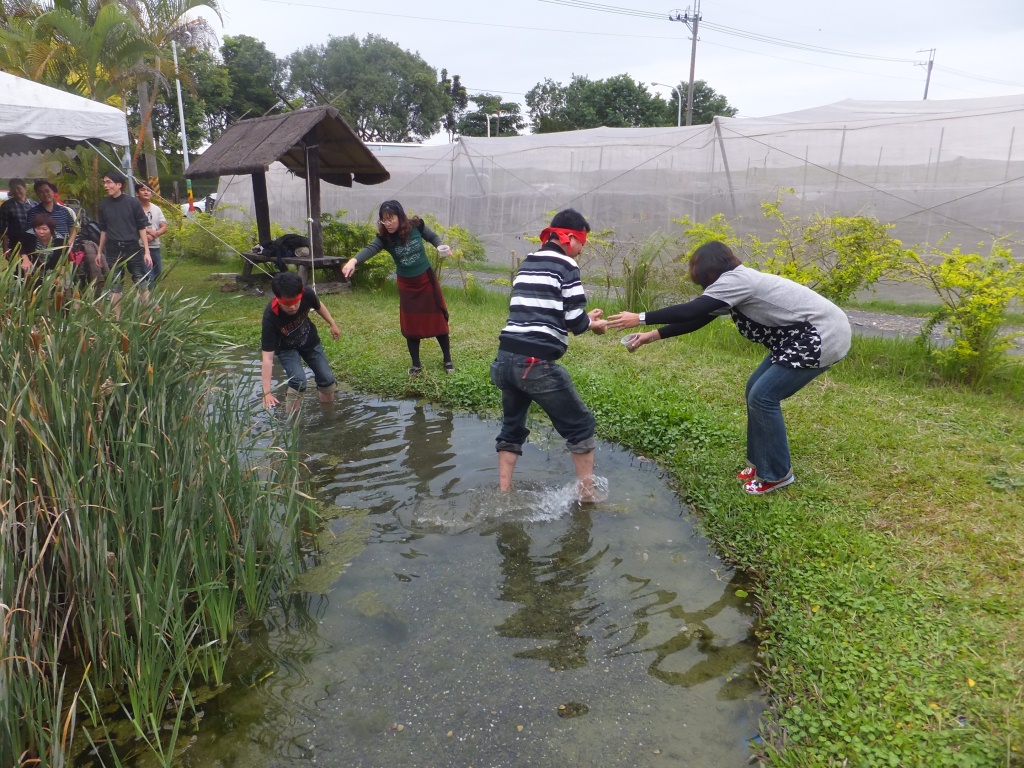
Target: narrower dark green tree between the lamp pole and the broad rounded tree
(258,78)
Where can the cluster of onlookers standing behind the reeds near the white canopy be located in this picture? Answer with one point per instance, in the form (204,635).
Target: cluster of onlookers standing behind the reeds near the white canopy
(39,234)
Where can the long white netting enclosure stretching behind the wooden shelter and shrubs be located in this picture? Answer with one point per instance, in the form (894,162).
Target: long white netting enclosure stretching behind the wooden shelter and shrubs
(928,167)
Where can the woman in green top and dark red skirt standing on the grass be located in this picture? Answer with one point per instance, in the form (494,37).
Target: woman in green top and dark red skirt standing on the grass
(422,312)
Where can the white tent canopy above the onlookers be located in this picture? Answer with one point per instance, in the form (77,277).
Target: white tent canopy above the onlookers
(37,118)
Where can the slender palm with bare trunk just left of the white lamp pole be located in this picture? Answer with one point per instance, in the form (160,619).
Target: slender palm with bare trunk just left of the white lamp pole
(162,22)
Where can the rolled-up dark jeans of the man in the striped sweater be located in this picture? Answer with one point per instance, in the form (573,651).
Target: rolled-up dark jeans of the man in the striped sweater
(550,387)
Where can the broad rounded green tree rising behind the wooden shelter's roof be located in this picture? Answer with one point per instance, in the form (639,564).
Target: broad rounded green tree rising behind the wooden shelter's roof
(387,94)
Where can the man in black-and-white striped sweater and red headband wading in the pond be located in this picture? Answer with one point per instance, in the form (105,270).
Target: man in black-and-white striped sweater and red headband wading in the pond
(548,303)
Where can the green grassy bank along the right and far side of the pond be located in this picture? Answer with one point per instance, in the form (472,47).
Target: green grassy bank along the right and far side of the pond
(891,572)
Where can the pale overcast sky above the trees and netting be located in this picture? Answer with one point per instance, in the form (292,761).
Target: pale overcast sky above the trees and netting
(507,47)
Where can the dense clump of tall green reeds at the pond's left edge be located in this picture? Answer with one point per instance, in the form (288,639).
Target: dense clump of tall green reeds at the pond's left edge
(143,519)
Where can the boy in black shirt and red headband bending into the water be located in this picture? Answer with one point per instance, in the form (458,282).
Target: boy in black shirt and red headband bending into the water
(289,334)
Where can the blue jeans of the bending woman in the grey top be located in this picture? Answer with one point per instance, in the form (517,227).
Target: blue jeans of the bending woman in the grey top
(767,446)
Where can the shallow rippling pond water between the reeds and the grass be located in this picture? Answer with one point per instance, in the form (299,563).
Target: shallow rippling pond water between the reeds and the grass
(446,624)
